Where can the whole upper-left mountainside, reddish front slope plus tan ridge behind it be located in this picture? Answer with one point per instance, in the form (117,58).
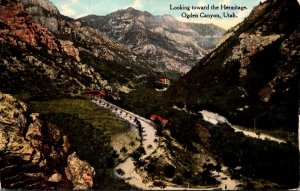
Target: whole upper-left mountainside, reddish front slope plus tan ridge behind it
(45,54)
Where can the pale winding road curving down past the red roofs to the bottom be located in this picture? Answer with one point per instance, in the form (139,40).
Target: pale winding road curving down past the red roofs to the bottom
(134,177)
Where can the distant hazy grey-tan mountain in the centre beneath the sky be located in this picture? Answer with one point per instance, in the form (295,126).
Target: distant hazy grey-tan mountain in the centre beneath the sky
(161,42)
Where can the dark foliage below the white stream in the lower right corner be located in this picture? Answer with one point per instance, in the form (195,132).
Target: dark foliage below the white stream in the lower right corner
(259,159)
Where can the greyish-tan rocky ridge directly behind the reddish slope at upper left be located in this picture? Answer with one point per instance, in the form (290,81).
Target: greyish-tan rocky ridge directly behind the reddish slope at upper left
(115,62)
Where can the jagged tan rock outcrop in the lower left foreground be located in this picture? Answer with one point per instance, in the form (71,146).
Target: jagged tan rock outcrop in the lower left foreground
(35,154)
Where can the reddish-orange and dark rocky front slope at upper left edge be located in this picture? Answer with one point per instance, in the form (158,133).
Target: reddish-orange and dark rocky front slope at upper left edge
(30,52)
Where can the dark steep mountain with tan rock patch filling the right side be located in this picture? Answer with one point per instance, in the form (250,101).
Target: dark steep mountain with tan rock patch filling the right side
(252,77)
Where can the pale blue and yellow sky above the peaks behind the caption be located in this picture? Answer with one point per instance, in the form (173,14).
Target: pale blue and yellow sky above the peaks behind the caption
(80,8)
